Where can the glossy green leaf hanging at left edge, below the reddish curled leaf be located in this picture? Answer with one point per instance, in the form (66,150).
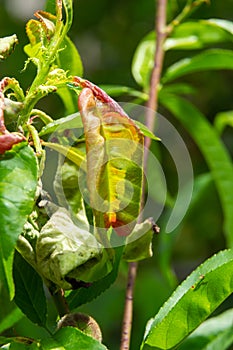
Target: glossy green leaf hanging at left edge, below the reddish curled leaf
(18,181)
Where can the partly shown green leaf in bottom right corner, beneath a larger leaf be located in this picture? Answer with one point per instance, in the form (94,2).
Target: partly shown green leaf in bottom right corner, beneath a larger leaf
(213,334)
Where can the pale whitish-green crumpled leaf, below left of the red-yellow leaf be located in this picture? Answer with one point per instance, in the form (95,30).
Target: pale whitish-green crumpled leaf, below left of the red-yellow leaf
(66,253)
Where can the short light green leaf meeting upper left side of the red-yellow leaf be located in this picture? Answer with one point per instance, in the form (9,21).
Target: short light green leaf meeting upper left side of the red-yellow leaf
(72,121)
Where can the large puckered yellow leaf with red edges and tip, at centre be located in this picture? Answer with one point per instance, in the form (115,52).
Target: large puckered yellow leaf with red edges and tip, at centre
(114,160)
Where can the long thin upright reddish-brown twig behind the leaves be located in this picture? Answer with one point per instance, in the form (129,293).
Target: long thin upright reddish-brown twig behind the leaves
(152,105)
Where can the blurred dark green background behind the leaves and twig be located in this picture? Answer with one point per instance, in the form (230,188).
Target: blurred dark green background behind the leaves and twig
(107,34)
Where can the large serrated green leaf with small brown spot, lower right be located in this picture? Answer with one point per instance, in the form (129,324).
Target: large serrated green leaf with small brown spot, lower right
(192,302)
